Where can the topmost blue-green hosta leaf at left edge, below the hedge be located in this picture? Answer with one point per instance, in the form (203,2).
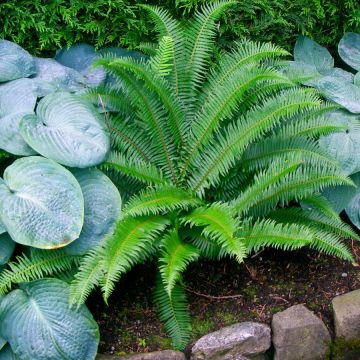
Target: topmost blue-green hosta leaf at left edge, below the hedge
(15,62)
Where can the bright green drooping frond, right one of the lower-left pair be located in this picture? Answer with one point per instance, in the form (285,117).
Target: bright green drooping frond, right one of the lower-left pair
(128,244)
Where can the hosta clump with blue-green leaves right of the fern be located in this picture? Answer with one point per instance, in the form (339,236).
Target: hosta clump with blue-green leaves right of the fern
(314,66)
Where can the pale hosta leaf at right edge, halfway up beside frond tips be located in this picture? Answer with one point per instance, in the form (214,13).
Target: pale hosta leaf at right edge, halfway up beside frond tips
(344,146)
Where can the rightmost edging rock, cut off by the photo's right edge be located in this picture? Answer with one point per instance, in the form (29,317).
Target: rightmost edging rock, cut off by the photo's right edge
(346,310)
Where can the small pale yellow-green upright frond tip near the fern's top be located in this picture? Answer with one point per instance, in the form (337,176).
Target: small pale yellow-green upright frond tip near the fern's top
(162,62)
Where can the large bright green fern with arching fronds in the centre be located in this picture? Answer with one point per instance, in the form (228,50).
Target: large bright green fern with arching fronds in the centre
(214,161)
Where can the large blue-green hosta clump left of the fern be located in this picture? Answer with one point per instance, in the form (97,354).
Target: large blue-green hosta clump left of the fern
(51,197)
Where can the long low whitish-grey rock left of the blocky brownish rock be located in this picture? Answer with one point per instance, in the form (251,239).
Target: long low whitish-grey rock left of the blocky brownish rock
(246,340)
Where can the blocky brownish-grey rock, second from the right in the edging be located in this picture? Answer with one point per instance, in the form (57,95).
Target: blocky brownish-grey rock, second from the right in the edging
(299,335)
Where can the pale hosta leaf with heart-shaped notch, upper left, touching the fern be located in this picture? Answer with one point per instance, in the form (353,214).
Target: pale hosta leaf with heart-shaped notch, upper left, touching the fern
(67,129)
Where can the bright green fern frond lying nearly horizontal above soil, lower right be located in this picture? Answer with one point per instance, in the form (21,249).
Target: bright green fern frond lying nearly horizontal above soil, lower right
(268,233)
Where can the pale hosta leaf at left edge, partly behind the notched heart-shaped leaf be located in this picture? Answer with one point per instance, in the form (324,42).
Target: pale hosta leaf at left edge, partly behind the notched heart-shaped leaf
(17,98)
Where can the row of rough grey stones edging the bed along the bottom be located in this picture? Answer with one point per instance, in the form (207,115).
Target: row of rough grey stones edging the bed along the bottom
(296,334)
